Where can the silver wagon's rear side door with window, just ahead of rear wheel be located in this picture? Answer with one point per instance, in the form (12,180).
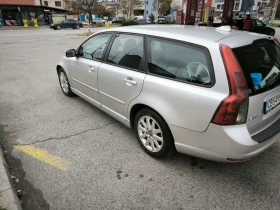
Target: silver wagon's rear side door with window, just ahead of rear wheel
(120,78)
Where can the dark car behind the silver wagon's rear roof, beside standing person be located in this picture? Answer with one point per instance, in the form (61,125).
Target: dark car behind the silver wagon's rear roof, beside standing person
(258,26)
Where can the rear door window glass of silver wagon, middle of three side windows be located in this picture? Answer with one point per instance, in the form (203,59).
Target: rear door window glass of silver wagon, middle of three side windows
(127,51)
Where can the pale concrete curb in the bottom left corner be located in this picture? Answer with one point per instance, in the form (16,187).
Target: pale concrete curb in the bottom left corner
(8,196)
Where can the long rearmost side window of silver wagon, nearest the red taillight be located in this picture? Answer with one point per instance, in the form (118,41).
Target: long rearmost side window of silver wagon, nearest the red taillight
(179,61)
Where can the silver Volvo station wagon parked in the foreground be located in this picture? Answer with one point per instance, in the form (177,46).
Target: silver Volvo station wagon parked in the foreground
(210,93)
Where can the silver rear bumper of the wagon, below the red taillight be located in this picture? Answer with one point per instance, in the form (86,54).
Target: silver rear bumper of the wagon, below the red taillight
(219,143)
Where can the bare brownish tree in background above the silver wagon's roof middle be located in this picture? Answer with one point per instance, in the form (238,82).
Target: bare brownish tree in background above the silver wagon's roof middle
(128,6)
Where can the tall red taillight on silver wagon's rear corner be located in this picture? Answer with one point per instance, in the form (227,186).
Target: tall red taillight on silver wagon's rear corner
(233,109)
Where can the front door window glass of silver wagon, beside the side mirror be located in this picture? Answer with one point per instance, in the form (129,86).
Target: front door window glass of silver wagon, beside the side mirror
(94,47)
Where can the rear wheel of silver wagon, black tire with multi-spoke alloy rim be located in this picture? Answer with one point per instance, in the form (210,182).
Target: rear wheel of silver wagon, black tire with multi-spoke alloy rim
(157,140)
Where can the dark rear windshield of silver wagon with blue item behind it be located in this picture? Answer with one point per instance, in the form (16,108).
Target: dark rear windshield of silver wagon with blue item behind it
(260,62)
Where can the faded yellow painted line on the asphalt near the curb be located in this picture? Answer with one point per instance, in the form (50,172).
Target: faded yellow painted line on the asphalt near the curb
(44,156)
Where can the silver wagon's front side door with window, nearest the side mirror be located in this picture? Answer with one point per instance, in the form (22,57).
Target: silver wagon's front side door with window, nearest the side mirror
(84,67)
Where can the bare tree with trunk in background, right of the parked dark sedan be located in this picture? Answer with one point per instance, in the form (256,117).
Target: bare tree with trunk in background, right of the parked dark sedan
(85,6)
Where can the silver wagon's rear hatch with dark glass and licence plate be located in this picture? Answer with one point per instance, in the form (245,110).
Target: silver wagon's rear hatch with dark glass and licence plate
(260,62)
